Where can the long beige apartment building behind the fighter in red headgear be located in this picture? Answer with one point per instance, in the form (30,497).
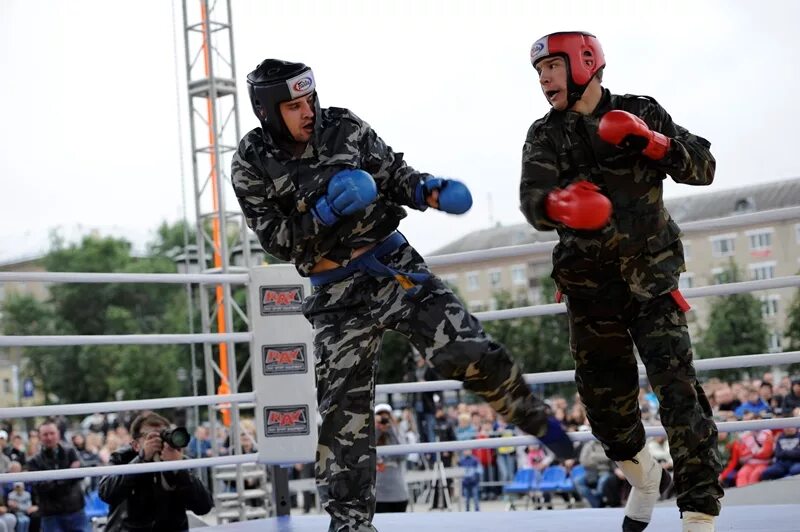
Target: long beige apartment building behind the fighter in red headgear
(759,250)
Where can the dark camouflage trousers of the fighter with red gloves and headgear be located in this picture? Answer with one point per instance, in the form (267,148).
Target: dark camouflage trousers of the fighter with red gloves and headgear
(602,336)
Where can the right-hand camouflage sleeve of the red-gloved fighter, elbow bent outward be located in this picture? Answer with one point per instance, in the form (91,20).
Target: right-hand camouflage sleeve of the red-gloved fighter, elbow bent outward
(689,158)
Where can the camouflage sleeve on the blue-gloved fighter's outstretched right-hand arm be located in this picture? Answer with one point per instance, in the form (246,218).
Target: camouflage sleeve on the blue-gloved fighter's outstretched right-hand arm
(395,179)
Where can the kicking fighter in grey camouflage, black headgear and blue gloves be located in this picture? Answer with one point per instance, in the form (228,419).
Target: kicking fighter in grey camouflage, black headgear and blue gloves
(321,189)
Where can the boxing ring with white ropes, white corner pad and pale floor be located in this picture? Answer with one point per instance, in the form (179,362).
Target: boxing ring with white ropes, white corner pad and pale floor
(280,341)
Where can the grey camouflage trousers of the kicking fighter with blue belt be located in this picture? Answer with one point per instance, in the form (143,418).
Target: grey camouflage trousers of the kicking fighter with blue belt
(349,318)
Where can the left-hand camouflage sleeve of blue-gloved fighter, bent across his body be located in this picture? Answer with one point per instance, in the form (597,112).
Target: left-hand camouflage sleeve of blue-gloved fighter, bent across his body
(280,234)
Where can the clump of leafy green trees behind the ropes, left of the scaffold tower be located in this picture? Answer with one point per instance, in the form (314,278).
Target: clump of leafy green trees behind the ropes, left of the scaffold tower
(99,372)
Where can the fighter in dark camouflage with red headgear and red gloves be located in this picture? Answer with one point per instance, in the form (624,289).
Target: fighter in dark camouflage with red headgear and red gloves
(592,169)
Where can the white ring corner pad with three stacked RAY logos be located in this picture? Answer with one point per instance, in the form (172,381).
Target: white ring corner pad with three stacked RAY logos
(282,362)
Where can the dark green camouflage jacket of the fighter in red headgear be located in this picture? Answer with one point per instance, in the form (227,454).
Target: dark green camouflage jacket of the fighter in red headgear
(641,245)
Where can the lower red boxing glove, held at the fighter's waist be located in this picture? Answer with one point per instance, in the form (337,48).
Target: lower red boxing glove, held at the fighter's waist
(579,206)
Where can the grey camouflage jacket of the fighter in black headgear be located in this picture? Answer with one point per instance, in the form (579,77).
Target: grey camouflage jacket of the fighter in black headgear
(277,191)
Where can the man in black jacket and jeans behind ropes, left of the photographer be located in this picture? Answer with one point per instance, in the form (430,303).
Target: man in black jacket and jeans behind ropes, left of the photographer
(61,502)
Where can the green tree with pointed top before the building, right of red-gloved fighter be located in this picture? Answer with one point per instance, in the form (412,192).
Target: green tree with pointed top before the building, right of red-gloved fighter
(735,327)
